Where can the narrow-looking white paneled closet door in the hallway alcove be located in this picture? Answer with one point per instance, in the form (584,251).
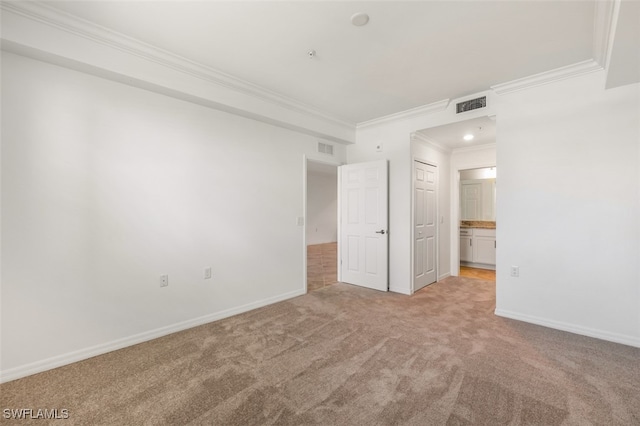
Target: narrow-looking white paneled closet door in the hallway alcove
(424,218)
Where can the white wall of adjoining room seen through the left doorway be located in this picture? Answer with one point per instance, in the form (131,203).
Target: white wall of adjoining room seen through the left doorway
(322,208)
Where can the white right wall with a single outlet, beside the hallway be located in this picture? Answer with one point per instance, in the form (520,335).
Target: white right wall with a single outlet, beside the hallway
(568,161)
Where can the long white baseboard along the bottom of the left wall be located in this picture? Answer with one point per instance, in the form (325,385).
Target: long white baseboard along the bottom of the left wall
(82,354)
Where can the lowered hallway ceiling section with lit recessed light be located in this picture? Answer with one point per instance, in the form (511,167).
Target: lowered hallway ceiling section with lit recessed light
(451,136)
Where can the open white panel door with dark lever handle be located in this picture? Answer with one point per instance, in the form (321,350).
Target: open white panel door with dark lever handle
(363,225)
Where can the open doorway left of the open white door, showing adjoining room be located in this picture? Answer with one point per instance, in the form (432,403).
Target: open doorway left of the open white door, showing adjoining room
(321,230)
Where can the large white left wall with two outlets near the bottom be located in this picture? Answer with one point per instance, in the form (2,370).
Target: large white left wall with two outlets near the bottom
(105,187)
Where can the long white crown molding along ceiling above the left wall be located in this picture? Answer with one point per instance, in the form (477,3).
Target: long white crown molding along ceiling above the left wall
(49,15)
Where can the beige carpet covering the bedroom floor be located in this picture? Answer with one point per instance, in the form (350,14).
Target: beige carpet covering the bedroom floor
(344,355)
